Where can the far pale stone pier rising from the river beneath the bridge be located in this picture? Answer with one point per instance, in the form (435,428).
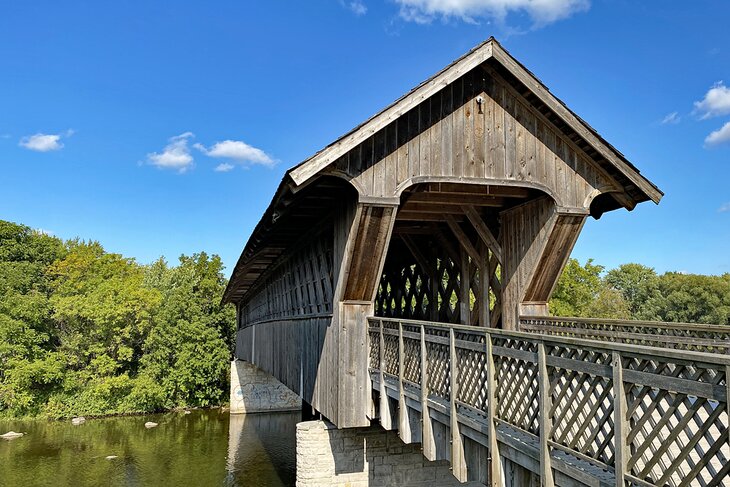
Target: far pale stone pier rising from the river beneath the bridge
(255,391)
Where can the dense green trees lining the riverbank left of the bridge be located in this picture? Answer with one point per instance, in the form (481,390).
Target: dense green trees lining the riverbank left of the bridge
(86,332)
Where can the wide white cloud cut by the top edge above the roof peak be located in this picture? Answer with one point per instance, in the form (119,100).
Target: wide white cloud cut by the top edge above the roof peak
(541,12)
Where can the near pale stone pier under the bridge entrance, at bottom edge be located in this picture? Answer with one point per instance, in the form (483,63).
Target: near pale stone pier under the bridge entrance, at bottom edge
(364,457)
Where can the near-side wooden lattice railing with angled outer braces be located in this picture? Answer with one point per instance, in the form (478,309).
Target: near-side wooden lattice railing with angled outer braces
(650,416)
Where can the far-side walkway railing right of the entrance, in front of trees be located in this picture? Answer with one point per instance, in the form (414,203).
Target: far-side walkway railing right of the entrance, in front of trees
(681,336)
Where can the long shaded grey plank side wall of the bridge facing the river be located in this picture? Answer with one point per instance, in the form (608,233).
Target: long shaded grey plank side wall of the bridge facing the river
(285,321)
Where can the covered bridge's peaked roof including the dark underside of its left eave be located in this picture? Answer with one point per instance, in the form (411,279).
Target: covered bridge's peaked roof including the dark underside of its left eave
(279,226)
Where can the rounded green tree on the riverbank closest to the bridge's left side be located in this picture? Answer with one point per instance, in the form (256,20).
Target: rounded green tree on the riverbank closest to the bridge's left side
(189,347)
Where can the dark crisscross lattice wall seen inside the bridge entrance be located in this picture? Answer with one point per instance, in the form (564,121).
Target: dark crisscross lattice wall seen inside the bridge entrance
(429,286)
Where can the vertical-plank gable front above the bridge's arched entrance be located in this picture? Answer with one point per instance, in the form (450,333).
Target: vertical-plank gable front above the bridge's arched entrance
(477,130)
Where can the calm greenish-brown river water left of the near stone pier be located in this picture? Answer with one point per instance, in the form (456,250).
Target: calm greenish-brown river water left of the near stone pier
(203,448)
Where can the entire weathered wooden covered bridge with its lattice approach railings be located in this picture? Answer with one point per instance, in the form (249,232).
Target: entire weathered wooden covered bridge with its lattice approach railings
(401,275)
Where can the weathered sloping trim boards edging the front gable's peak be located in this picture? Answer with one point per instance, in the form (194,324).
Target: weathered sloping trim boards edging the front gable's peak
(488,50)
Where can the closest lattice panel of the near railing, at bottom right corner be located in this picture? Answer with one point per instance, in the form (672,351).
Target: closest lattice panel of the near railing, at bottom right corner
(677,438)
